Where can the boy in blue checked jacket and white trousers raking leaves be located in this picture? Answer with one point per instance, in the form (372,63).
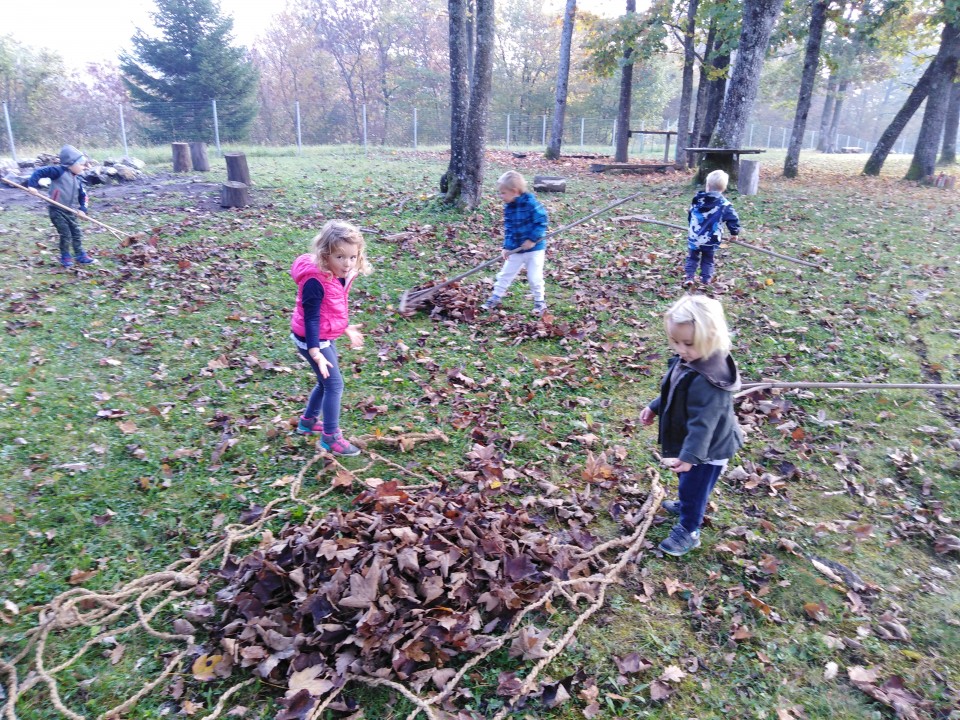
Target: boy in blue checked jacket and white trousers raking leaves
(524,244)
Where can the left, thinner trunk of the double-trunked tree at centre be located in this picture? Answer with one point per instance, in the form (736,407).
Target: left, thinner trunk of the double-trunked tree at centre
(459,96)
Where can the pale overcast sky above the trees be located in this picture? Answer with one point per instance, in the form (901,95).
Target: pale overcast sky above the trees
(83,31)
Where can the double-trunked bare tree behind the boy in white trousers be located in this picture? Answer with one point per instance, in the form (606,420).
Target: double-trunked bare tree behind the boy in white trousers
(464,178)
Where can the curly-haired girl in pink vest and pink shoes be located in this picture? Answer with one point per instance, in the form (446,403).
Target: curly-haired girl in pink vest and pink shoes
(323,277)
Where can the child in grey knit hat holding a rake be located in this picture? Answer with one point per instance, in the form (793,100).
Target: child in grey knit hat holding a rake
(66,188)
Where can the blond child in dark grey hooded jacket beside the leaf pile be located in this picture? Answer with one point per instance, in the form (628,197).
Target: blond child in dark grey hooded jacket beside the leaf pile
(698,432)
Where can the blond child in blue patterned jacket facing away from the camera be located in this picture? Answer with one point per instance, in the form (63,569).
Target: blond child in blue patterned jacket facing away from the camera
(708,210)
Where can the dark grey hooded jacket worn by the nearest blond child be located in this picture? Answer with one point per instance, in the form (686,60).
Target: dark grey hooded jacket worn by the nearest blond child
(697,422)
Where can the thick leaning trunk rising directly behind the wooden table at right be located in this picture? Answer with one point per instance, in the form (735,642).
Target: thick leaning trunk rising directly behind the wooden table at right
(758,19)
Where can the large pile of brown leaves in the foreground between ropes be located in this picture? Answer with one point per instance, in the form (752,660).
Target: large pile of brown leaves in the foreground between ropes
(396,589)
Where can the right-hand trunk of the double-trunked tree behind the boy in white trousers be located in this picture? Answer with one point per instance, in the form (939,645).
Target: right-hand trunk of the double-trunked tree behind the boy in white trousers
(471,183)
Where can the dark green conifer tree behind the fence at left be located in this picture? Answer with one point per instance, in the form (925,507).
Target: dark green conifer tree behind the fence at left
(192,62)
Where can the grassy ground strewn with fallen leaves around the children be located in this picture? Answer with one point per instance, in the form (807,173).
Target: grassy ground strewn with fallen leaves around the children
(148,403)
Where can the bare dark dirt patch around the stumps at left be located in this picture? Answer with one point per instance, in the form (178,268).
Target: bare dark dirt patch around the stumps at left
(193,192)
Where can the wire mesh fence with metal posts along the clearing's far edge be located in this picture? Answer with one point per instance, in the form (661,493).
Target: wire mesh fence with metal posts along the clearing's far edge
(395,126)
